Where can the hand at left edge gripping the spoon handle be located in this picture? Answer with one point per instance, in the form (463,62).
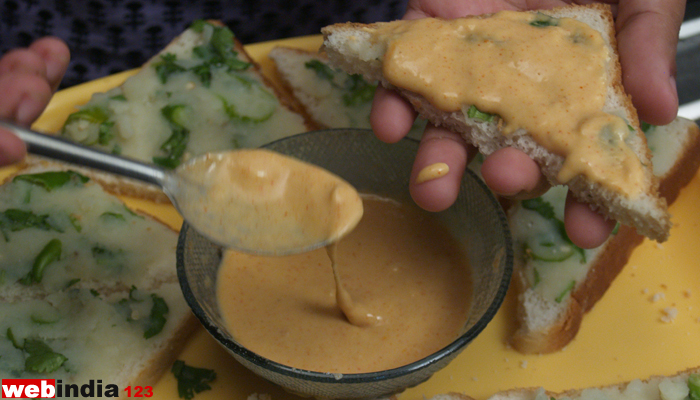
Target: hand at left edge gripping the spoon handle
(28,78)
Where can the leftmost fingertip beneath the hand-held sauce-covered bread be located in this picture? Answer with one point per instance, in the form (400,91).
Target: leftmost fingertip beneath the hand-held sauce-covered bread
(391,116)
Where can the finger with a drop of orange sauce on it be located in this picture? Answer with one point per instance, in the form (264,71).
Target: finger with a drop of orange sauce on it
(439,145)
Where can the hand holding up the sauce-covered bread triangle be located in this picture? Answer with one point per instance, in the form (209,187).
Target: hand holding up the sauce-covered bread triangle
(647,35)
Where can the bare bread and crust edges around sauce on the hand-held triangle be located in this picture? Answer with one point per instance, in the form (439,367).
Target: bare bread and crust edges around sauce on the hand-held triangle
(358,48)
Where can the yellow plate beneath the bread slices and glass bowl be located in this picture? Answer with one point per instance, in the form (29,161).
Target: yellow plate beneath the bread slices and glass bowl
(622,338)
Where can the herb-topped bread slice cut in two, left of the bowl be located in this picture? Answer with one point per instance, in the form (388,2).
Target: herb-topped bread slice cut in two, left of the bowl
(107,305)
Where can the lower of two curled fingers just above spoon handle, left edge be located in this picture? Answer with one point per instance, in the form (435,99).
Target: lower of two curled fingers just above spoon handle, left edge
(24,96)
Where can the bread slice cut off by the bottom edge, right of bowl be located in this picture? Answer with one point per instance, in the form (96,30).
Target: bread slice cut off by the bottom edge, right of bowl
(680,386)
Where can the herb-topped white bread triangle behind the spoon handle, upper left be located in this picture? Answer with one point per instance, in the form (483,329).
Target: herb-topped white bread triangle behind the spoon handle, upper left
(201,93)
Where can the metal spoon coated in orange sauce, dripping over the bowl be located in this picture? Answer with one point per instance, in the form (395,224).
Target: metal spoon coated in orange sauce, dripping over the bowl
(251,230)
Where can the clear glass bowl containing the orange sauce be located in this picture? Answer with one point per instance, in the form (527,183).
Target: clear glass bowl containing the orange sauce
(476,220)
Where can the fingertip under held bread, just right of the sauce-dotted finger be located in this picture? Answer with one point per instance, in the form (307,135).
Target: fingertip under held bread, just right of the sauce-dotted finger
(510,172)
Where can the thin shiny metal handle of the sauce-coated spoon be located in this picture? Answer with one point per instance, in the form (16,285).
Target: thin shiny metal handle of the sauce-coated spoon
(64,150)
